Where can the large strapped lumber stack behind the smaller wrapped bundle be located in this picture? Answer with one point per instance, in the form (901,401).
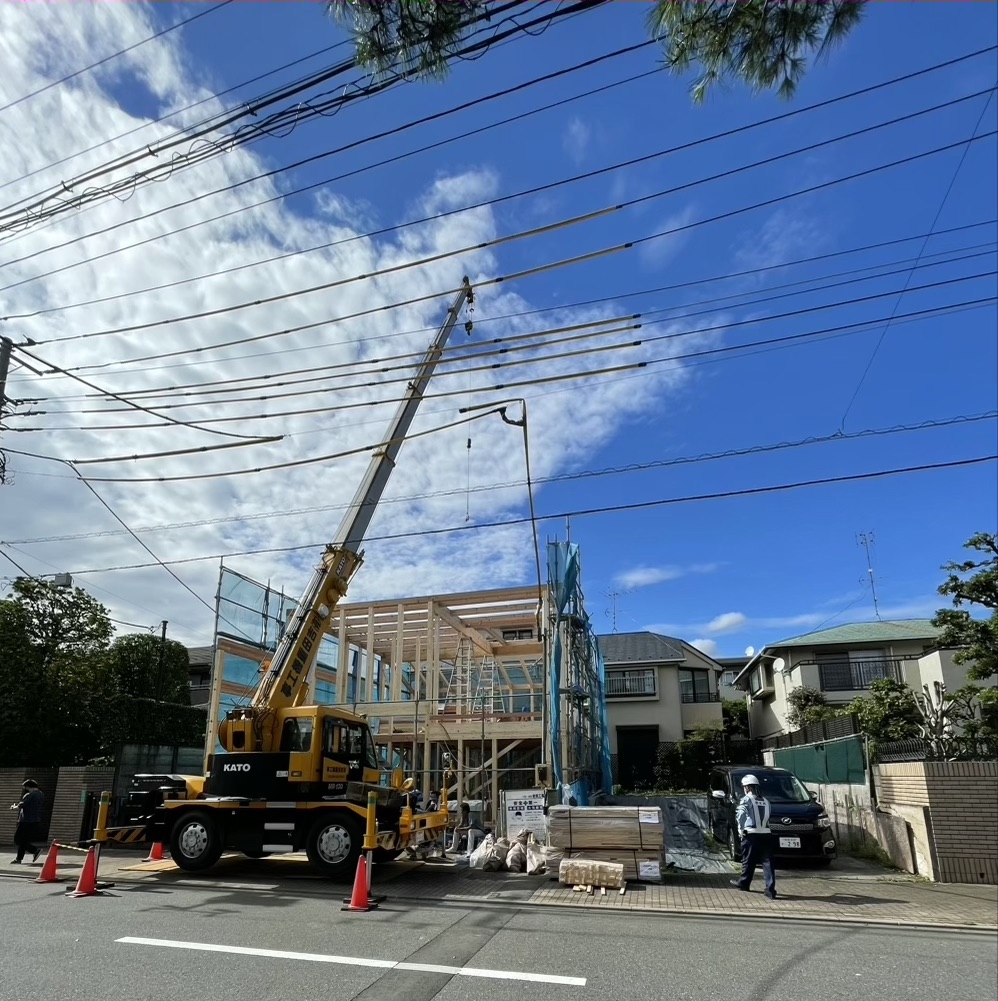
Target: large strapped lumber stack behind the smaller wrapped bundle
(630,837)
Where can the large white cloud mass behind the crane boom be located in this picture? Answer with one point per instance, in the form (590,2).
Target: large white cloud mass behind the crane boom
(226,516)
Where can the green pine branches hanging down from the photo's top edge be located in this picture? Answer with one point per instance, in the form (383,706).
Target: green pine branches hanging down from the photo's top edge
(763,44)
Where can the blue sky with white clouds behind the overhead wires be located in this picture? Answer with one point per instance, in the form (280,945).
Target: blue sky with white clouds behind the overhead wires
(726,573)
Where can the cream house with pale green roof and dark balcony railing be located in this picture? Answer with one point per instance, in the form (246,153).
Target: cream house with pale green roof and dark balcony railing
(842,663)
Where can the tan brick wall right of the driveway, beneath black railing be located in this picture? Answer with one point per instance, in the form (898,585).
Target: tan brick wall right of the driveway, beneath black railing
(959,803)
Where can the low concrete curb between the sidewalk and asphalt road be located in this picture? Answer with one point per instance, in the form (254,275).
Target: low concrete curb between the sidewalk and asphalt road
(733,915)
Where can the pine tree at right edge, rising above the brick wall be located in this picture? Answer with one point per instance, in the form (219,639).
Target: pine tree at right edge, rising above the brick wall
(976,640)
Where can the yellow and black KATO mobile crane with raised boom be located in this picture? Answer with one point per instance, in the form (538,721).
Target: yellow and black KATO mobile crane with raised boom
(297,776)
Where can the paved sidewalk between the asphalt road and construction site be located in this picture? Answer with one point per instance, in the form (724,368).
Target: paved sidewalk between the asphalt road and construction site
(856,893)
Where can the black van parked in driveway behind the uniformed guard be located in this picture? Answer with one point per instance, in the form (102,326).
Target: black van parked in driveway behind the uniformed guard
(801,828)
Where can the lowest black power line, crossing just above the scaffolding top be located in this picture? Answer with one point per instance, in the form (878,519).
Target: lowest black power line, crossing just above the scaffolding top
(582,513)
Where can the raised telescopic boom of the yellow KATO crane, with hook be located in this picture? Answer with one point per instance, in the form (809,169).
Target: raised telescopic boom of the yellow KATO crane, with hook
(284,685)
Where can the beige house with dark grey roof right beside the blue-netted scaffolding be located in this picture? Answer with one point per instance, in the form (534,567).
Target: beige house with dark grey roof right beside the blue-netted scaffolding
(659,689)
